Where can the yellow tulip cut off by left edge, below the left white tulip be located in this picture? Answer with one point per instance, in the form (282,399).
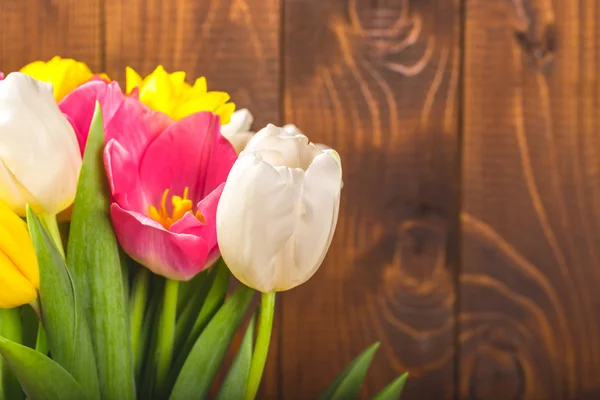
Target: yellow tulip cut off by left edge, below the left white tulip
(19,274)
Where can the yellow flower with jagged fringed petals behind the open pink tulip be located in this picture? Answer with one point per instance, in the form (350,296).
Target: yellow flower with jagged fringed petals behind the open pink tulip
(171,94)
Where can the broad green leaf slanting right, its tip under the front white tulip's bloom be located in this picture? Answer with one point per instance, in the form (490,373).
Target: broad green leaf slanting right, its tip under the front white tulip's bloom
(206,356)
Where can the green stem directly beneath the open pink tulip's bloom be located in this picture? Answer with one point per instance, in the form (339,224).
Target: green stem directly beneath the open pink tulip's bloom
(166,333)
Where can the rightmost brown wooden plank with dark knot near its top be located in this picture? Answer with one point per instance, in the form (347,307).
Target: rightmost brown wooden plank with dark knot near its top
(529,325)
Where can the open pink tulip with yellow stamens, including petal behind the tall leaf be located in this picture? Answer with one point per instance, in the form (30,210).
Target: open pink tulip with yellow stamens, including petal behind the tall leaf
(166,178)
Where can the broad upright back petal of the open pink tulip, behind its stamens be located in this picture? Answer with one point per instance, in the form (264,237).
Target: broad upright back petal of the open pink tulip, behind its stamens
(190,153)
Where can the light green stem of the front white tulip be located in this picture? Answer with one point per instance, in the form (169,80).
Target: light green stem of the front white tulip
(263,339)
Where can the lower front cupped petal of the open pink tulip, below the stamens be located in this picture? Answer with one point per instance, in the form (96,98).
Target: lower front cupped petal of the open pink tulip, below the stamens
(172,255)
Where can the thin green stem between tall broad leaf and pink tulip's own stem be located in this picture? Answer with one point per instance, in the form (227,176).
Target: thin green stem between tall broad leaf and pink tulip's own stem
(139,296)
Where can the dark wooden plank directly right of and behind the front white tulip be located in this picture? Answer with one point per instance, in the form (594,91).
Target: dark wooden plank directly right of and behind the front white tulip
(378,82)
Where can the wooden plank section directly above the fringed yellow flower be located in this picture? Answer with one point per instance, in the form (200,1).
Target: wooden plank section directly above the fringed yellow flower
(234,43)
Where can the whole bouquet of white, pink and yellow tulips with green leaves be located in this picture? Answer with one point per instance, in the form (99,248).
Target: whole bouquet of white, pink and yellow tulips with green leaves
(125,216)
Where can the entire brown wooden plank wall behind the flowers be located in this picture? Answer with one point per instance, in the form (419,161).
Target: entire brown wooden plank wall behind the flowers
(469,236)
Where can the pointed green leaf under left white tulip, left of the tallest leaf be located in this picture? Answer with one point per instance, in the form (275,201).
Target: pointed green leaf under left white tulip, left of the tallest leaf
(66,327)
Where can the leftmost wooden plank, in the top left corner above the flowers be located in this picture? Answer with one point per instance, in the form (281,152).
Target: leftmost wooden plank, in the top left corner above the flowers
(40,29)
